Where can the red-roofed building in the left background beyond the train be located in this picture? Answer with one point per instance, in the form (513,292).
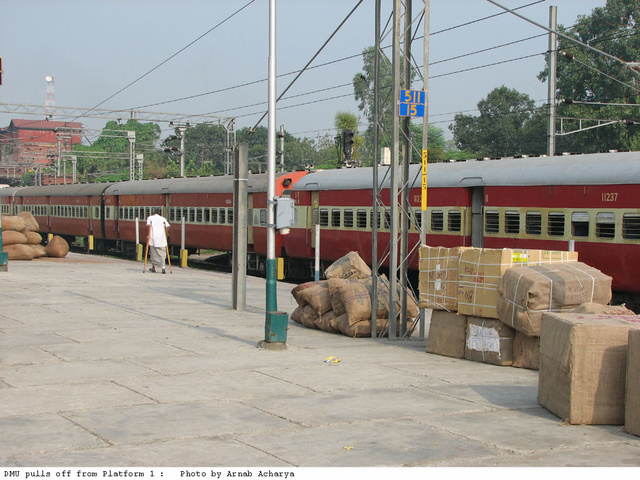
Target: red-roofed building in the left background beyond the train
(33,144)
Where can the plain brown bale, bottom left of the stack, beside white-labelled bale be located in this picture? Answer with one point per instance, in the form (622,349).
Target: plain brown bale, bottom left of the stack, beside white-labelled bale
(447,334)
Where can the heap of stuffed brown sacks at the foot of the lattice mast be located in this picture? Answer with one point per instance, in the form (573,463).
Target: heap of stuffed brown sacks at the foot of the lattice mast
(342,302)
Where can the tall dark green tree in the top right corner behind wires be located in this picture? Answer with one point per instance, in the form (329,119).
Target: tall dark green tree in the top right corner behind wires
(592,77)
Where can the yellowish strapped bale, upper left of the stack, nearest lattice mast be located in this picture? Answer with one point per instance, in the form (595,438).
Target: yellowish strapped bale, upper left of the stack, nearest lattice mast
(438,277)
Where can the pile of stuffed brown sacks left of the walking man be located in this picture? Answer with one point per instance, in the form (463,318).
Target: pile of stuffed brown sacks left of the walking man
(21,240)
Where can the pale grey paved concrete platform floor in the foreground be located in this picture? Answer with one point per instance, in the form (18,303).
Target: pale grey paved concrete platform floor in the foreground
(102,365)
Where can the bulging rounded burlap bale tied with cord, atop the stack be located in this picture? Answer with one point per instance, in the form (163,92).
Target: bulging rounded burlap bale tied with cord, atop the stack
(527,292)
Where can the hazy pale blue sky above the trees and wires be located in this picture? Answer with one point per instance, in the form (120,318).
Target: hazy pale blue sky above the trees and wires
(211,56)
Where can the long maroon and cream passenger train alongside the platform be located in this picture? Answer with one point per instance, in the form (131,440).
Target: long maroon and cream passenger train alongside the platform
(588,203)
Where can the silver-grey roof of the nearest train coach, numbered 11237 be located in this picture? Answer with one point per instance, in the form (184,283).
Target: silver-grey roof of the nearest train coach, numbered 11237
(585,169)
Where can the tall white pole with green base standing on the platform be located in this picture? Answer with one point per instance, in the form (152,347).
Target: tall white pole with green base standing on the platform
(276,322)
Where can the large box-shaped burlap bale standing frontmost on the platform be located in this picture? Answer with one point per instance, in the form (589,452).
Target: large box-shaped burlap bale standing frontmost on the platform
(583,360)
